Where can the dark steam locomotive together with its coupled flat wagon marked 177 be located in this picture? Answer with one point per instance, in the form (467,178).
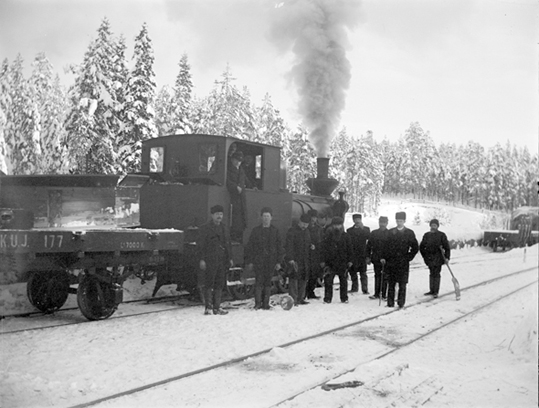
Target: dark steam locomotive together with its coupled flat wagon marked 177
(88,234)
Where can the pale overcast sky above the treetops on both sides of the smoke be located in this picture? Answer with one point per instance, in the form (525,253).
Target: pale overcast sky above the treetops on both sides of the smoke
(465,70)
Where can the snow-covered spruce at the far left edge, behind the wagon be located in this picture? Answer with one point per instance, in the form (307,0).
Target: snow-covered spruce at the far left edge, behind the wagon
(22,123)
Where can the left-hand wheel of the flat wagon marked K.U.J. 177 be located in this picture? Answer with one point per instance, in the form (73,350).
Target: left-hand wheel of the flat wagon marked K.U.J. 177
(48,291)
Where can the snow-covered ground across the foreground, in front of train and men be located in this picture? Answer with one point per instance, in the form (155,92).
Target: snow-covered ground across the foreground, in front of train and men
(488,359)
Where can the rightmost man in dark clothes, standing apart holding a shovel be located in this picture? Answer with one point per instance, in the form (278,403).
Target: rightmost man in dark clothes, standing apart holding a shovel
(432,255)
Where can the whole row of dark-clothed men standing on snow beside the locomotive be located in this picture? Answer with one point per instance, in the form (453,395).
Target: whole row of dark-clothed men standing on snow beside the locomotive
(311,252)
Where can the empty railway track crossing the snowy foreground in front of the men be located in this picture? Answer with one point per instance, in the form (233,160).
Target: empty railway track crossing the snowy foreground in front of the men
(380,346)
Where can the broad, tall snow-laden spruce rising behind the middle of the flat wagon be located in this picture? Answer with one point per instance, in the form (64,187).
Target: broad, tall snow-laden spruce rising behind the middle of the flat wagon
(93,121)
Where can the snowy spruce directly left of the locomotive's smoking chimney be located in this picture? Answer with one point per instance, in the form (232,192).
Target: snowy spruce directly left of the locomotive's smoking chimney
(300,159)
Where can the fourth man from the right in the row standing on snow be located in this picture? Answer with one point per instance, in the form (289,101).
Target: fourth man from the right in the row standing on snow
(359,234)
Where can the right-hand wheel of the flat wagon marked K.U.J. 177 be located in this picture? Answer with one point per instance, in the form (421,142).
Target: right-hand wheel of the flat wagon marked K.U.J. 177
(96,299)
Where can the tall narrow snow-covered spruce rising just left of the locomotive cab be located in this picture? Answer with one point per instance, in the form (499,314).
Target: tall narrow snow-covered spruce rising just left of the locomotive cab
(139,110)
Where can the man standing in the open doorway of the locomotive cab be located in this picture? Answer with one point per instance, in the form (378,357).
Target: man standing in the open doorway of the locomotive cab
(235,183)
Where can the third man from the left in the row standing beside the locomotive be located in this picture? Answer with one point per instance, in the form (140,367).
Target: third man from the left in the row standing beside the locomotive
(298,246)
